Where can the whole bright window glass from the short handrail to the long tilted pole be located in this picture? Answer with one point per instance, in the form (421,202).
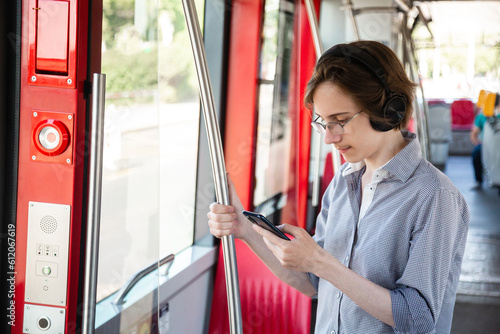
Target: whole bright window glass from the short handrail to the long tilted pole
(151,137)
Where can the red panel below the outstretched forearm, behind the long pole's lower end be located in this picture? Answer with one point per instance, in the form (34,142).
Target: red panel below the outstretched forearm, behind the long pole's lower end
(267,304)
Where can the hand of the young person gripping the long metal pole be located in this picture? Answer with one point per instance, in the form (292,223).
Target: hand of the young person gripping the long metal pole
(228,219)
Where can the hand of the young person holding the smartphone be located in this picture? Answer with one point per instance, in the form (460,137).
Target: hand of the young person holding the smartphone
(302,253)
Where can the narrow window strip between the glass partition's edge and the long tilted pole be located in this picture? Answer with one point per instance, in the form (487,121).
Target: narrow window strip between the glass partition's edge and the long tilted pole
(179,116)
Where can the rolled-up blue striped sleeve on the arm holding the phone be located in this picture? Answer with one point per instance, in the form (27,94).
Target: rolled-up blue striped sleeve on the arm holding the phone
(439,233)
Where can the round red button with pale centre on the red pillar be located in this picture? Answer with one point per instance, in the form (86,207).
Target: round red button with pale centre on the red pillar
(51,137)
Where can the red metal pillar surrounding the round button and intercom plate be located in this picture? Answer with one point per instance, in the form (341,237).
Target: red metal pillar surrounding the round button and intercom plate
(49,182)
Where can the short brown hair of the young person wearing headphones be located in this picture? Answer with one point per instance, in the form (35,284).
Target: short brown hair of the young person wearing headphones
(362,84)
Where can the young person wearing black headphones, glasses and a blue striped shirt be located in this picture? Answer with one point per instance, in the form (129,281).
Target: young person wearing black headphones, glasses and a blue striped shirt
(391,233)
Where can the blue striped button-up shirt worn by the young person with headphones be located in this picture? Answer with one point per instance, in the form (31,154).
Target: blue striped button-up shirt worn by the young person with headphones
(408,235)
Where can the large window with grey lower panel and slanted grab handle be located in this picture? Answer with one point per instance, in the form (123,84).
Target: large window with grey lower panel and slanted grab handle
(150,170)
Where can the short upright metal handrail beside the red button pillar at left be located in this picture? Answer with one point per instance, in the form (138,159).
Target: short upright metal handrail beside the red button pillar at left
(94,203)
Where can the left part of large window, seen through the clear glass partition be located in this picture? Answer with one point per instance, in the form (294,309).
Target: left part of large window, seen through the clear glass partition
(130,206)
